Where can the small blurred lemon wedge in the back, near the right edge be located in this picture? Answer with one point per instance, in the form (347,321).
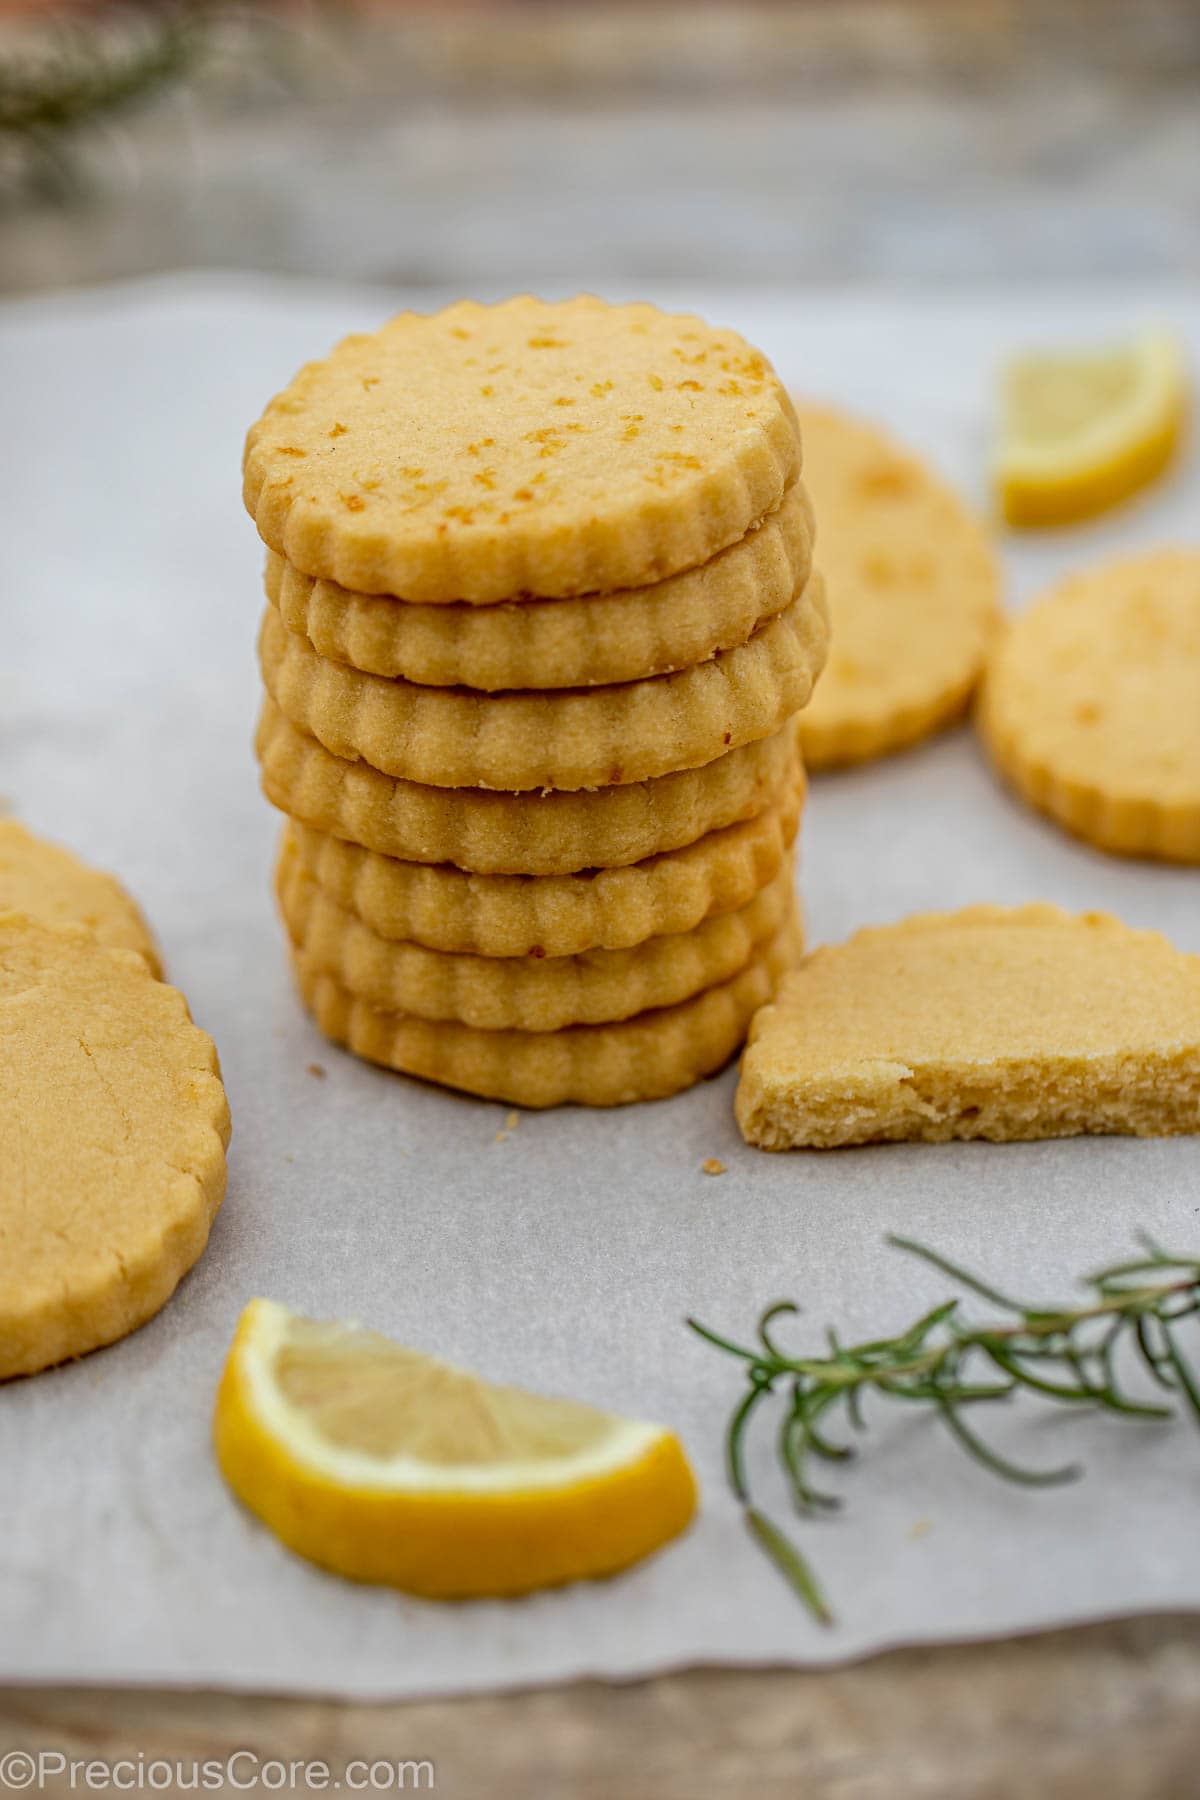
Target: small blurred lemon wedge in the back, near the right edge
(1084,431)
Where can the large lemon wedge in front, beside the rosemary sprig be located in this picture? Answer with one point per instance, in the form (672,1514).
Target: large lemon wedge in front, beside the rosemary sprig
(390,1466)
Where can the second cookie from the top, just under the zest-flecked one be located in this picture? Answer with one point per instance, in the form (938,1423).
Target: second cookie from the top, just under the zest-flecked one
(560,643)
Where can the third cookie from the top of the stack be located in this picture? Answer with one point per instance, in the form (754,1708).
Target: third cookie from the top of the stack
(577,739)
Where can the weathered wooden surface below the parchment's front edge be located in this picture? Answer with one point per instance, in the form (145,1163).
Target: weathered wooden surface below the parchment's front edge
(1107,1713)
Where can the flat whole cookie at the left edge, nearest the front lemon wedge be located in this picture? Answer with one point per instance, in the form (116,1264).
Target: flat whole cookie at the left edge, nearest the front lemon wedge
(112,1144)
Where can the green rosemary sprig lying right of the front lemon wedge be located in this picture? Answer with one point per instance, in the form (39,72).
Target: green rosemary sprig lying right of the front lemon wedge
(945,1362)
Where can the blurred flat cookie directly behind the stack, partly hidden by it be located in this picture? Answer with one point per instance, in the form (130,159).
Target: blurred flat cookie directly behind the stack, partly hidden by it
(913,586)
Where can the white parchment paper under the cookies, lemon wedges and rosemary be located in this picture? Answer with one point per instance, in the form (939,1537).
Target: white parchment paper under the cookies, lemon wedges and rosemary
(568,1255)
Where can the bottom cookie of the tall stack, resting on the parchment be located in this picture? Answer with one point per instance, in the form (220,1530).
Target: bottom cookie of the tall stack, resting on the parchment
(647,1057)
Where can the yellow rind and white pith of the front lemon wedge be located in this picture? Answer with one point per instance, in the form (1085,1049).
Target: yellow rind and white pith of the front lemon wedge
(436,1529)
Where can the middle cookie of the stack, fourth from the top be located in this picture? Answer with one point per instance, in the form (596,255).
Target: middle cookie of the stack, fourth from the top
(514,834)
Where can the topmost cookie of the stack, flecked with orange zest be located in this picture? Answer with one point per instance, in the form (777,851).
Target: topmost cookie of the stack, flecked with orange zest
(546,449)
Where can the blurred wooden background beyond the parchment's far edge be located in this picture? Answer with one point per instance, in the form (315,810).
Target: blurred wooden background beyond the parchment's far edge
(481,147)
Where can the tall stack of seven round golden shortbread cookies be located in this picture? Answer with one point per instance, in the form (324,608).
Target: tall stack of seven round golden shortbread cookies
(541,618)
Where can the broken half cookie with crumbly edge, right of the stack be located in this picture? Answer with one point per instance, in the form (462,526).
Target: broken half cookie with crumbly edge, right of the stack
(987,1023)
